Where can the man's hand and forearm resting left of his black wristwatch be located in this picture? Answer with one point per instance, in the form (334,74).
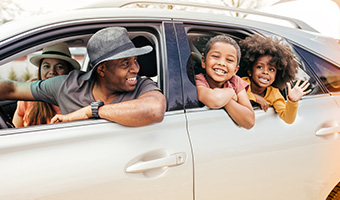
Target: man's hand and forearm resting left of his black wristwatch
(81,114)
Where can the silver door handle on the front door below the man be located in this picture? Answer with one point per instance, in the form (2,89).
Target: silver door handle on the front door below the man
(170,161)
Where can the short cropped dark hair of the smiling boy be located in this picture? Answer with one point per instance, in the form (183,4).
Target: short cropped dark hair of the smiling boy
(223,38)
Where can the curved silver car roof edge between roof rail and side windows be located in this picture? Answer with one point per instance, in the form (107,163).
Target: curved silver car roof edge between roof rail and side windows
(141,15)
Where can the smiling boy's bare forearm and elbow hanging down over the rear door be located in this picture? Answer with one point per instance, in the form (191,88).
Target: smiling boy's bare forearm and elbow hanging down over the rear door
(241,111)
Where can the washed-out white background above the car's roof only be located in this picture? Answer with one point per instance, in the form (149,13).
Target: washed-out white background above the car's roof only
(323,15)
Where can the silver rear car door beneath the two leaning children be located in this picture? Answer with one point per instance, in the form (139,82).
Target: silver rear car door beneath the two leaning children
(273,160)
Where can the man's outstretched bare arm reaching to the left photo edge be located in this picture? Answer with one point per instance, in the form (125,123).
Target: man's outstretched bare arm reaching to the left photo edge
(15,90)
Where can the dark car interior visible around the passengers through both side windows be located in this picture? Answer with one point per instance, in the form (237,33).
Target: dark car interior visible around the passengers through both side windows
(197,39)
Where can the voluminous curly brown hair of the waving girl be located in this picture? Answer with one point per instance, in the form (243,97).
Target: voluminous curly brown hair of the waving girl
(282,57)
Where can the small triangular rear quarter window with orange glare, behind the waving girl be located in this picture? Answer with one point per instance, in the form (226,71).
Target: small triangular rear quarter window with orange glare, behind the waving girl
(329,74)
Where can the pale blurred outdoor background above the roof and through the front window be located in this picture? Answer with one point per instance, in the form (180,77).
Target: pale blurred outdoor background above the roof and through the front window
(322,15)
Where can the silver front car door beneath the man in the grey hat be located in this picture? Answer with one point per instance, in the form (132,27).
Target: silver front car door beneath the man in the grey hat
(97,159)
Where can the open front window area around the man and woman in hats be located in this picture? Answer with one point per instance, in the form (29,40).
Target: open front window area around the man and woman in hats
(21,69)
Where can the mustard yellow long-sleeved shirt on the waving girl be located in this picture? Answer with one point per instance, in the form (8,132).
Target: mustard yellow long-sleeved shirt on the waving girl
(286,110)
